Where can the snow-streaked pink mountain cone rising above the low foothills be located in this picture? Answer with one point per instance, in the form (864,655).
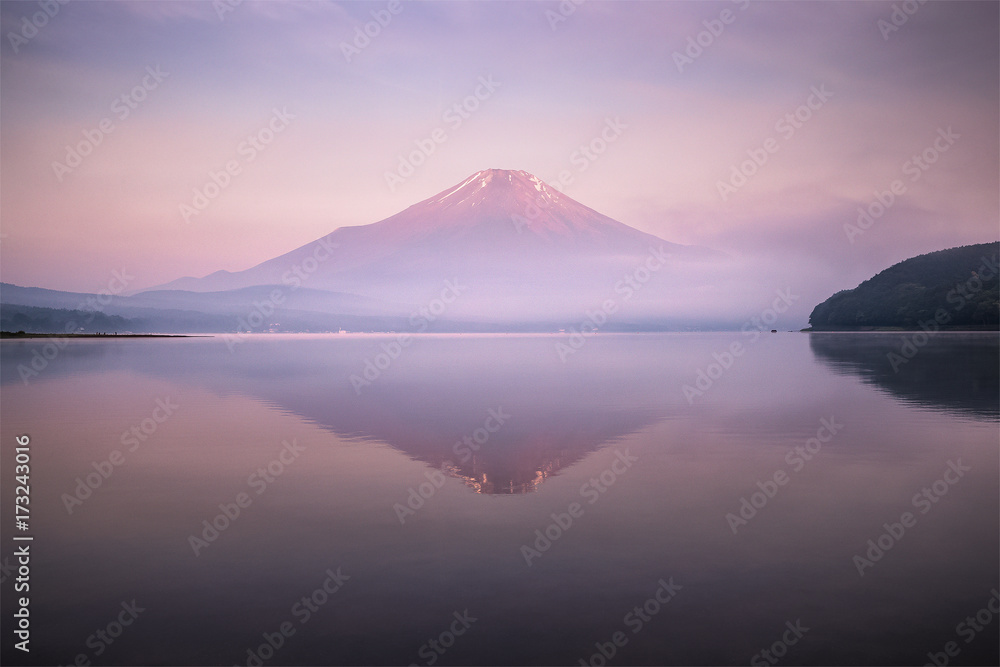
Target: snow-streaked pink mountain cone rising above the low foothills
(515,246)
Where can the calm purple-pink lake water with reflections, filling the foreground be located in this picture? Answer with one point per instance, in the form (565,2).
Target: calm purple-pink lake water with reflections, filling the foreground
(423,535)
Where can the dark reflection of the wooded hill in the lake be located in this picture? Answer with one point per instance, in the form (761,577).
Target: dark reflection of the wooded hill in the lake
(956,372)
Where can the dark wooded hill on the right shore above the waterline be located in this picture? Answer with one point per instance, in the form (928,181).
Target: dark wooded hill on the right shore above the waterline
(959,286)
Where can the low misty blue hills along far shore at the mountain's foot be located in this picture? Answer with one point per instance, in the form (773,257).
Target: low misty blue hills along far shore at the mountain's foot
(255,309)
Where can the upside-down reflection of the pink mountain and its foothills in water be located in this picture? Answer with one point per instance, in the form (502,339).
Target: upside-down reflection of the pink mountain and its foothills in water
(502,414)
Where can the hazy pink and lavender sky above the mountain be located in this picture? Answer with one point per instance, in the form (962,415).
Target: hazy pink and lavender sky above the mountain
(158,140)
